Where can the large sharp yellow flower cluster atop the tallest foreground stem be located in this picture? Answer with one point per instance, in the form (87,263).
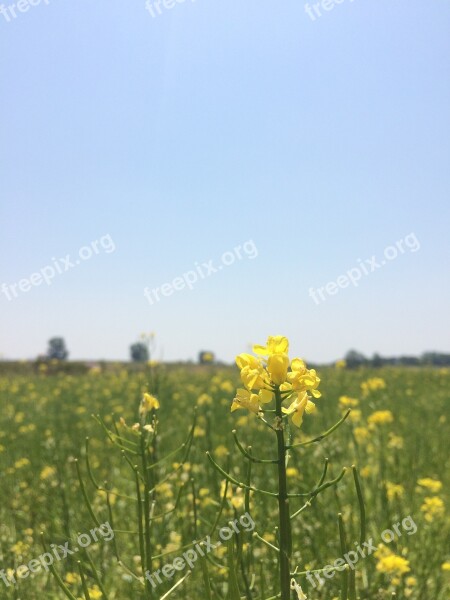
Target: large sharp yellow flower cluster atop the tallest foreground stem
(270,372)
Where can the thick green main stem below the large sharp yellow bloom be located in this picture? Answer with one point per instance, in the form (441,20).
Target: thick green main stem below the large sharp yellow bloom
(283,505)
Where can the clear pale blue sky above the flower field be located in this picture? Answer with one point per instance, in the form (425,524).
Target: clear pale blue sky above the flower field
(314,143)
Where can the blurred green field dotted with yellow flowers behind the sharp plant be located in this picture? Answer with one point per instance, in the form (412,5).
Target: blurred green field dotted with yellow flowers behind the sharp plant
(157,455)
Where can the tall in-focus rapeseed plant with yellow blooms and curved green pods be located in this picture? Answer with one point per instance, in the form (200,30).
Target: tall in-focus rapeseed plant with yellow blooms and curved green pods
(280,391)
